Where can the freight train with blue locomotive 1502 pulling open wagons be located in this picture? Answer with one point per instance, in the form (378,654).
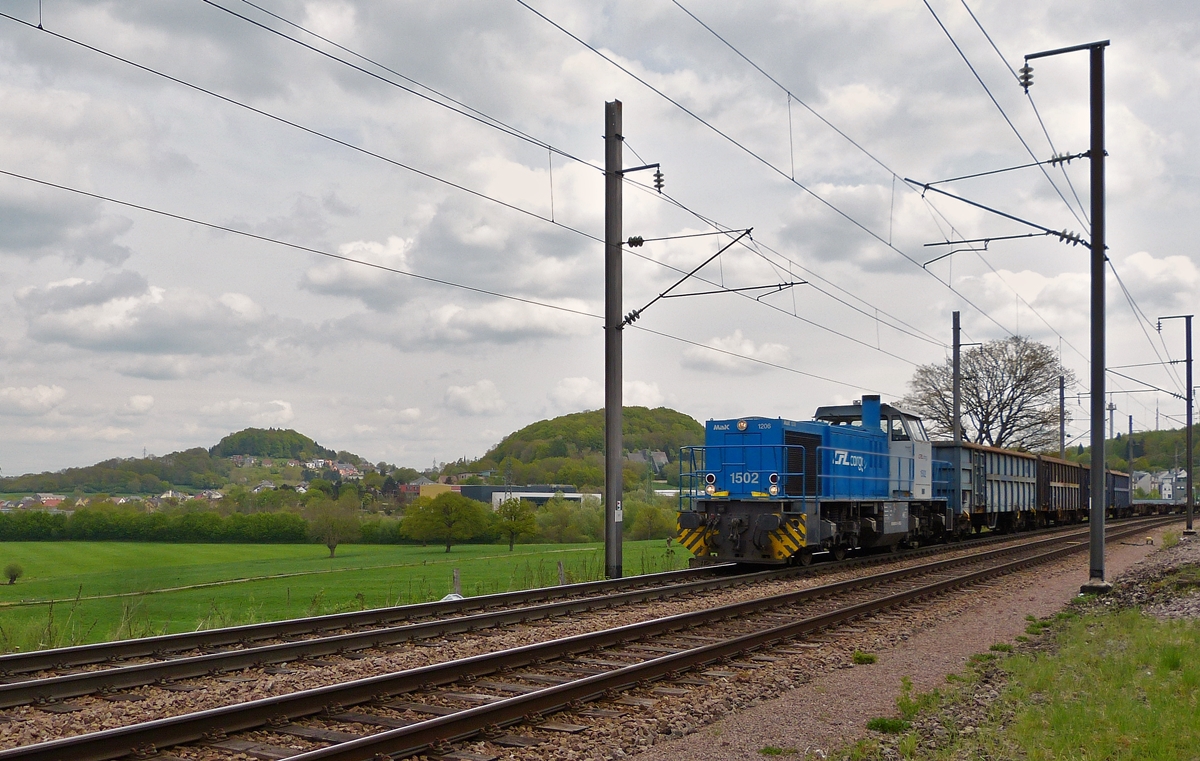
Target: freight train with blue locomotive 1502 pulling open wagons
(772,492)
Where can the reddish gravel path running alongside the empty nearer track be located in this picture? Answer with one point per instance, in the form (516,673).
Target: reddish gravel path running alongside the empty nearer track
(833,706)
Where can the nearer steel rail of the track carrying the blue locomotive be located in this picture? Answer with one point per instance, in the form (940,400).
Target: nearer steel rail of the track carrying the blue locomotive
(57,688)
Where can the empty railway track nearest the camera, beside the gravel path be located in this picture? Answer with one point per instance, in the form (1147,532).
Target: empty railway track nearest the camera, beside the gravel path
(440,704)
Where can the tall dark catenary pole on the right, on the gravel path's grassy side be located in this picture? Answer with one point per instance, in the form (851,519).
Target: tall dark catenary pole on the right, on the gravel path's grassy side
(1096,583)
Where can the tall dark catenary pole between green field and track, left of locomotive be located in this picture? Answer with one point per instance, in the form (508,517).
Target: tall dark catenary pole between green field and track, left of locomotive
(614,400)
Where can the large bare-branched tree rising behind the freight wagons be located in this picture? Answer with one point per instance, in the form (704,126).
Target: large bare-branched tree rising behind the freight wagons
(1010,394)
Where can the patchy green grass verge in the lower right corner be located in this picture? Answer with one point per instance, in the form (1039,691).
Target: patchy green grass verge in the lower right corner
(1105,685)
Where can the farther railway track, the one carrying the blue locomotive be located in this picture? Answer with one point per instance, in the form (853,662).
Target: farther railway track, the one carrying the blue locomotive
(51,676)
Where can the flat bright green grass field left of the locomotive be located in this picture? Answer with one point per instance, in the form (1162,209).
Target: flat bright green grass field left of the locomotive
(76,592)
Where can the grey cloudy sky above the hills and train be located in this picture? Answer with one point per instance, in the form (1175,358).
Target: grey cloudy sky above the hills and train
(129,332)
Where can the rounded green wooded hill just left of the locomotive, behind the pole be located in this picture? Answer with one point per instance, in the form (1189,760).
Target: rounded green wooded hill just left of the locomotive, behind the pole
(569,450)
